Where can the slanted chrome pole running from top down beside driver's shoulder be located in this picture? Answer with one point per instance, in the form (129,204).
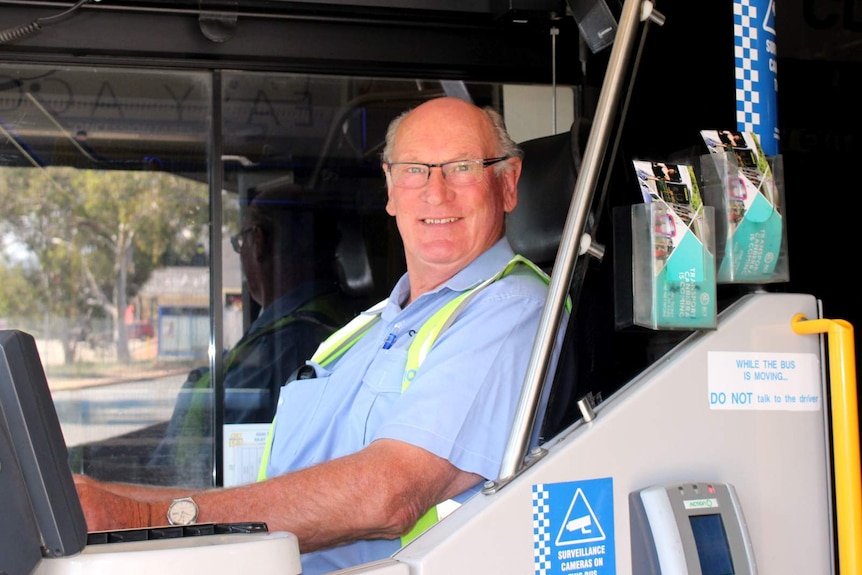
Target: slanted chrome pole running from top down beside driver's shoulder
(570,244)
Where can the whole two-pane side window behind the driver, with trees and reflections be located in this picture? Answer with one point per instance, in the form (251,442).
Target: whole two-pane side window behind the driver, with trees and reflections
(113,231)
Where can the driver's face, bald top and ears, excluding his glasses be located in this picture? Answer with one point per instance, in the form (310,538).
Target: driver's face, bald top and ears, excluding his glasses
(444,226)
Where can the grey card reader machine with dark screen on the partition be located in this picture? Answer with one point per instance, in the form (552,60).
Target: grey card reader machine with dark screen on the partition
(691,528)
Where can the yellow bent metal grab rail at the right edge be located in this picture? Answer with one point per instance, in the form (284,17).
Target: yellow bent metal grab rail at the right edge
(845,435)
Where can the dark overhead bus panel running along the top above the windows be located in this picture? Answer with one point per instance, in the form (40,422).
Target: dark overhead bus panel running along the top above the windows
(494,40)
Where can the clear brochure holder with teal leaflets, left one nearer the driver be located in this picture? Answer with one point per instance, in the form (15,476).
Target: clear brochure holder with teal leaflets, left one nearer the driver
(665,272)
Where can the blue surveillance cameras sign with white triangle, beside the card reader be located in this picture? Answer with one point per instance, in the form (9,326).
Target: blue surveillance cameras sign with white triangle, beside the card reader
(573,528)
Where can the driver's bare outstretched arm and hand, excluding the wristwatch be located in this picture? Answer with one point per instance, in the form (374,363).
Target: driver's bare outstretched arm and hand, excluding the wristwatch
(379,492)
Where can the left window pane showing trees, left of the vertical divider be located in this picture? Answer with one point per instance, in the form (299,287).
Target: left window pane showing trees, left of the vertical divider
(103,241)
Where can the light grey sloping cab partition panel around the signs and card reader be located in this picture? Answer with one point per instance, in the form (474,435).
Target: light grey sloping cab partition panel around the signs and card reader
(659,429)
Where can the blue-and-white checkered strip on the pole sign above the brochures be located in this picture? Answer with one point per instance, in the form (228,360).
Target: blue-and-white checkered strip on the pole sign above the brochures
(745,48)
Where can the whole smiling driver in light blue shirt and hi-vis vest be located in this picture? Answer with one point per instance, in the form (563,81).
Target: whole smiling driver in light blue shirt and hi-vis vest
(396,421)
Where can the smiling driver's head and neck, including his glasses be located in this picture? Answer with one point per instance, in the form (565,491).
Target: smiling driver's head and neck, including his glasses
(448,212)
